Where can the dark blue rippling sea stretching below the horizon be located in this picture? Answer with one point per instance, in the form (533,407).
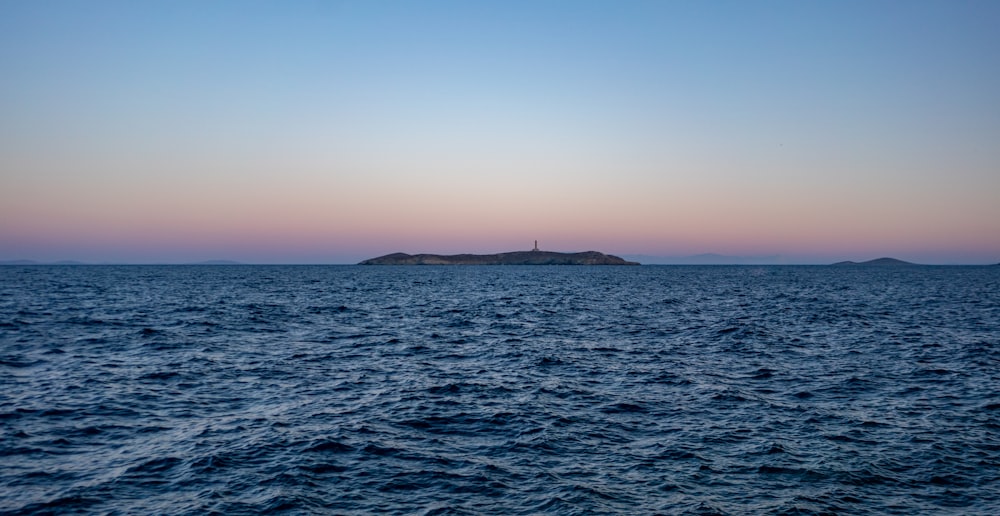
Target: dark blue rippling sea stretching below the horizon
(499,390)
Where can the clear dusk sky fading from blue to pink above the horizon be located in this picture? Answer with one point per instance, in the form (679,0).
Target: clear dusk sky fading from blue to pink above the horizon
(334,131)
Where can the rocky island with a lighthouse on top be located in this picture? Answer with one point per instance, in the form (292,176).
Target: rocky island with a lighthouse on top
(533,257)
